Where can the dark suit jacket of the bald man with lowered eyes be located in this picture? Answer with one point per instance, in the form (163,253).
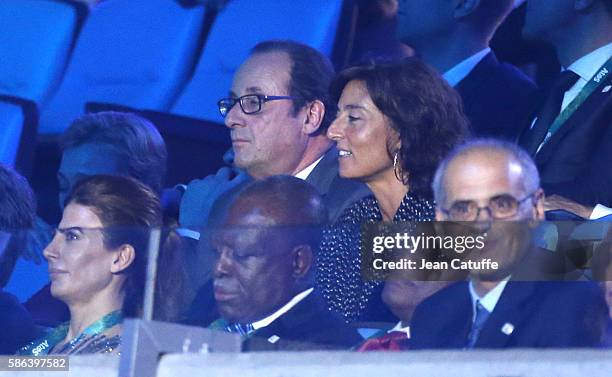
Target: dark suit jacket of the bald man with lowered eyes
(306,326)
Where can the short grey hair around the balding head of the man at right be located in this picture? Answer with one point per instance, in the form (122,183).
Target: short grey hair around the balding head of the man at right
(531,177)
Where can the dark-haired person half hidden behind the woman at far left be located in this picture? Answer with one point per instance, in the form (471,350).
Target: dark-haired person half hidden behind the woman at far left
(112,143)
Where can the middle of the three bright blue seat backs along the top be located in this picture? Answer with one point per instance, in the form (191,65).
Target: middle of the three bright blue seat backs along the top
(136,53)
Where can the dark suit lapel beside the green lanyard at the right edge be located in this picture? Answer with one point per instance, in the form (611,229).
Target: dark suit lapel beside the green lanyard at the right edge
(579,119)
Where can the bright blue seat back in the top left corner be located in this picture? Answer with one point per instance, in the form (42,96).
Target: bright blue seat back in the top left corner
(35,40)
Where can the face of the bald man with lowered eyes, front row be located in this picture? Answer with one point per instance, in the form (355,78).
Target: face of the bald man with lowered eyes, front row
(256,271)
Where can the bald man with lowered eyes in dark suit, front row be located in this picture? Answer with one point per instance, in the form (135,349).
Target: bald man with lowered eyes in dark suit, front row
(262,274)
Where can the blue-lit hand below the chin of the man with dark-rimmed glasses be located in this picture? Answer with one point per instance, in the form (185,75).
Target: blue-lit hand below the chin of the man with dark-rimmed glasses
(201,194)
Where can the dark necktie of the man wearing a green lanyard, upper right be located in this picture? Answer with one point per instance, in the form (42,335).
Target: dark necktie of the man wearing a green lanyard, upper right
(549,112)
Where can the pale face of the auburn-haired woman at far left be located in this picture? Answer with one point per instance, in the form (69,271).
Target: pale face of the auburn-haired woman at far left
(79,263)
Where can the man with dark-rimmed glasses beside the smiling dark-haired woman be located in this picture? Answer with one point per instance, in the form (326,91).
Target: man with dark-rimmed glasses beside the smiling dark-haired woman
(278,111)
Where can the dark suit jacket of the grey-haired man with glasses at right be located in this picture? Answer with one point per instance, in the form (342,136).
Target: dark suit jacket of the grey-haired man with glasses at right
(543,314)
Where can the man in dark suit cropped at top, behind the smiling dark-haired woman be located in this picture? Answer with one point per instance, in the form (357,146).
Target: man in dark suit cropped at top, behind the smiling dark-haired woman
(453,37)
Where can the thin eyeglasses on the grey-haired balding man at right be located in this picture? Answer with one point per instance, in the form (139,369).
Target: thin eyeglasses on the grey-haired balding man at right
(499,207)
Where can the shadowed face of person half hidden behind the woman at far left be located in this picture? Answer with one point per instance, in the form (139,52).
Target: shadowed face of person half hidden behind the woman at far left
(83,161)
